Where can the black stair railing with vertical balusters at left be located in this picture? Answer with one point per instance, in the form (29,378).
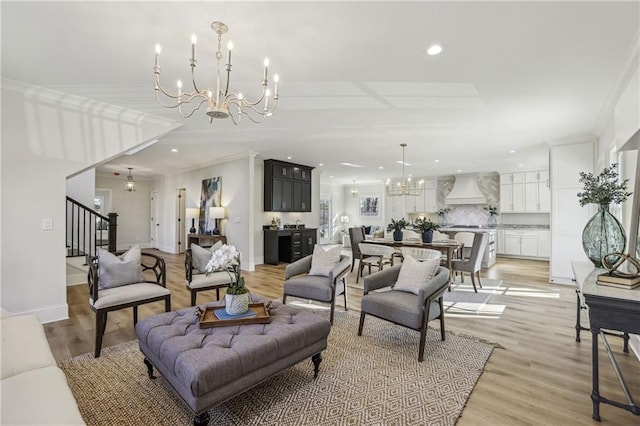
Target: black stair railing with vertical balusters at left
(87,230)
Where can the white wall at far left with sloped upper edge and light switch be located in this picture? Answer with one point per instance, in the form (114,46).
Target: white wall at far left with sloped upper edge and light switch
(48,136)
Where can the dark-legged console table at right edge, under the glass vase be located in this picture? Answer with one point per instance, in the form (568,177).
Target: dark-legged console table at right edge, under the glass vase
(610,308)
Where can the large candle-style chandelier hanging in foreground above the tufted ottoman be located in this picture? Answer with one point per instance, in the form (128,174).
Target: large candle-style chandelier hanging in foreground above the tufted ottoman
(221,103)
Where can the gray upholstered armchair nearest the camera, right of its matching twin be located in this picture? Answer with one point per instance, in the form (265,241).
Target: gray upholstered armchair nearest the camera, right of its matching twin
(404,308)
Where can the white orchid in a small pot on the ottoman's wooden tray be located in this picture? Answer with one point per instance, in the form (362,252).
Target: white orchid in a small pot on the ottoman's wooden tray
(227,258)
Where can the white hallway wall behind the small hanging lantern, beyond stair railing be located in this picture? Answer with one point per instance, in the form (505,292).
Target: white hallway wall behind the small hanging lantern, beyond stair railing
(133,209)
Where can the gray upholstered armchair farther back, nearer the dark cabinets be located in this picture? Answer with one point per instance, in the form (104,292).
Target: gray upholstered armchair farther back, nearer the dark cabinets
(299,283)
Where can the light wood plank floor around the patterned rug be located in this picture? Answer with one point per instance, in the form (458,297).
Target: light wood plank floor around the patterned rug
(539,376)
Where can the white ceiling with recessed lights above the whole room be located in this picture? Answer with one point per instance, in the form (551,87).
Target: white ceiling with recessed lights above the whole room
(355,79)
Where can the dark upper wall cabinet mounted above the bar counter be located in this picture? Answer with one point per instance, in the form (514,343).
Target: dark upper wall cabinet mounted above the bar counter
(287,187)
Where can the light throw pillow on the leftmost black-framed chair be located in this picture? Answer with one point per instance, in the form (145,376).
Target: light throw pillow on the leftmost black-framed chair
(115,271)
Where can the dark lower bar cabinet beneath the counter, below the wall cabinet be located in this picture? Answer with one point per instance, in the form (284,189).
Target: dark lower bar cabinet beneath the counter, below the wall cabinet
(288,245)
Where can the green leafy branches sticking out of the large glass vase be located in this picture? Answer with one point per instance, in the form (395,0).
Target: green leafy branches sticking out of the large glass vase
(604,188)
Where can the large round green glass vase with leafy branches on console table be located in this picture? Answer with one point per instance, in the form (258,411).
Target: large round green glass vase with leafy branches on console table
(603,234)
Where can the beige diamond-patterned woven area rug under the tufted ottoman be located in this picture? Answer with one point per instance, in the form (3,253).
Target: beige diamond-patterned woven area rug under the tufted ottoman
(373,379)
